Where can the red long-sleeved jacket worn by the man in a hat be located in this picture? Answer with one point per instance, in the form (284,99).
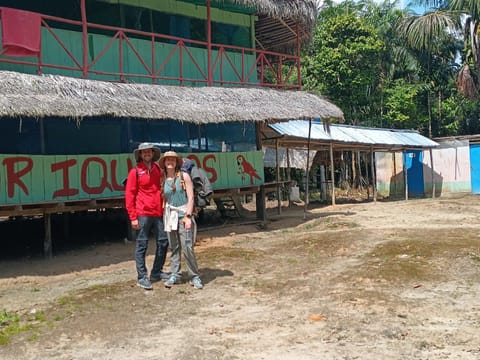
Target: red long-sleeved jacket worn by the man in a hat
(142,192)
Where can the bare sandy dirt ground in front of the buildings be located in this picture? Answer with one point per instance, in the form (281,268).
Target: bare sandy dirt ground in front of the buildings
(384,280)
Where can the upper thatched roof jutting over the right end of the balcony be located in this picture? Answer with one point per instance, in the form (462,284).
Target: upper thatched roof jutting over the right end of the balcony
(277,20)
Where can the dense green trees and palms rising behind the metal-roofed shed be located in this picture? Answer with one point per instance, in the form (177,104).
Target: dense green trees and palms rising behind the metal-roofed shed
(387,67)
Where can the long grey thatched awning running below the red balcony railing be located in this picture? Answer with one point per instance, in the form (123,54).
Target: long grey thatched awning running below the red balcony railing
(51,95)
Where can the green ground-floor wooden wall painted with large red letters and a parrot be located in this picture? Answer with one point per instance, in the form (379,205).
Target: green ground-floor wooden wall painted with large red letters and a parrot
(31,179)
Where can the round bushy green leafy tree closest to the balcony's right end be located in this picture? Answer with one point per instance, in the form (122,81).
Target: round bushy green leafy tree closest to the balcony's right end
(343,61)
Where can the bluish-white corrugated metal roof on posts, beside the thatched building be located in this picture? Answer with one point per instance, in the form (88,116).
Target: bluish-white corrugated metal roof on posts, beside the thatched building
(353,135)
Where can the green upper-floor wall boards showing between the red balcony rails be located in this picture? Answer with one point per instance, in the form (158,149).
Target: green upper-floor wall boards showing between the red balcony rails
(53,53)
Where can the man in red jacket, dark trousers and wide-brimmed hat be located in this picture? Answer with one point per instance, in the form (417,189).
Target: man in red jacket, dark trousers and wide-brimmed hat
(144,203)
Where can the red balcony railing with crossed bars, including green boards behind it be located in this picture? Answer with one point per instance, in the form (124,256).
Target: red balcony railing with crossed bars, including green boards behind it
(94,51)
